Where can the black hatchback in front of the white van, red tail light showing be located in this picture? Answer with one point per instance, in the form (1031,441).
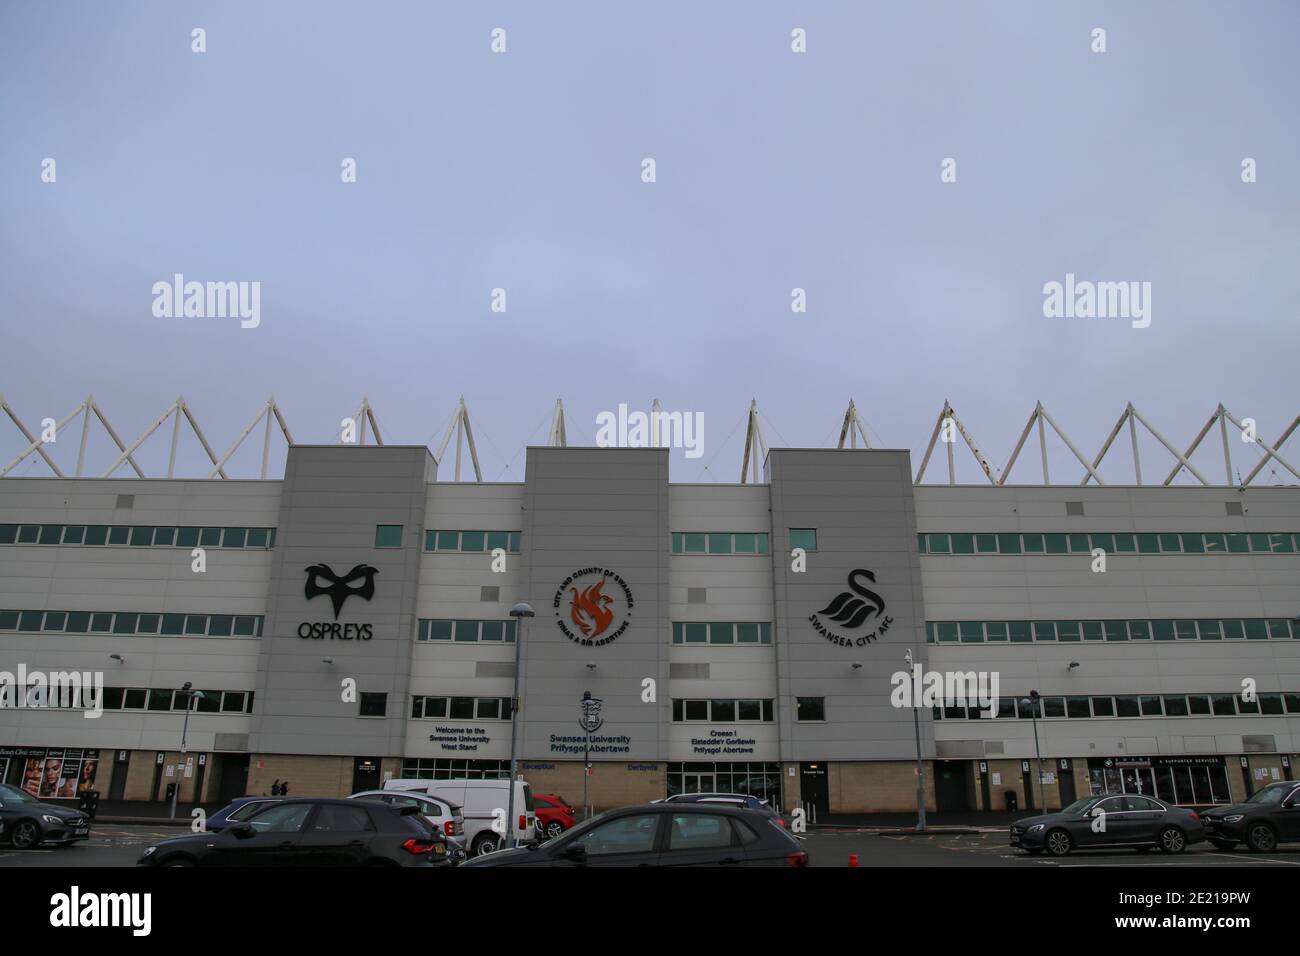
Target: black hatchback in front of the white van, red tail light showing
(311,833)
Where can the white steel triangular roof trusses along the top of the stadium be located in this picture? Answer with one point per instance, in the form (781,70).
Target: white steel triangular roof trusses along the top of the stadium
(948,429)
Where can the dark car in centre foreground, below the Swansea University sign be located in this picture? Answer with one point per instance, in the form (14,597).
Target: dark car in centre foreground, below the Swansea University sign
(691,834)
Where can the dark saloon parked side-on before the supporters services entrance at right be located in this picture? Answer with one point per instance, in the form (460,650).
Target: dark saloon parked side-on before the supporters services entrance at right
(1117,821)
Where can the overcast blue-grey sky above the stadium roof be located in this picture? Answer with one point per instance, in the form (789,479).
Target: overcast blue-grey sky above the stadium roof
(774,171)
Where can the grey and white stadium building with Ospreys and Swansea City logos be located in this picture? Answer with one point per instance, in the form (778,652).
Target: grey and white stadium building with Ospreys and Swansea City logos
(352,621)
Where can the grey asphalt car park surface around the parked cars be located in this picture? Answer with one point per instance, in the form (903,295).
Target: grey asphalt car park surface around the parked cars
(120,845)
